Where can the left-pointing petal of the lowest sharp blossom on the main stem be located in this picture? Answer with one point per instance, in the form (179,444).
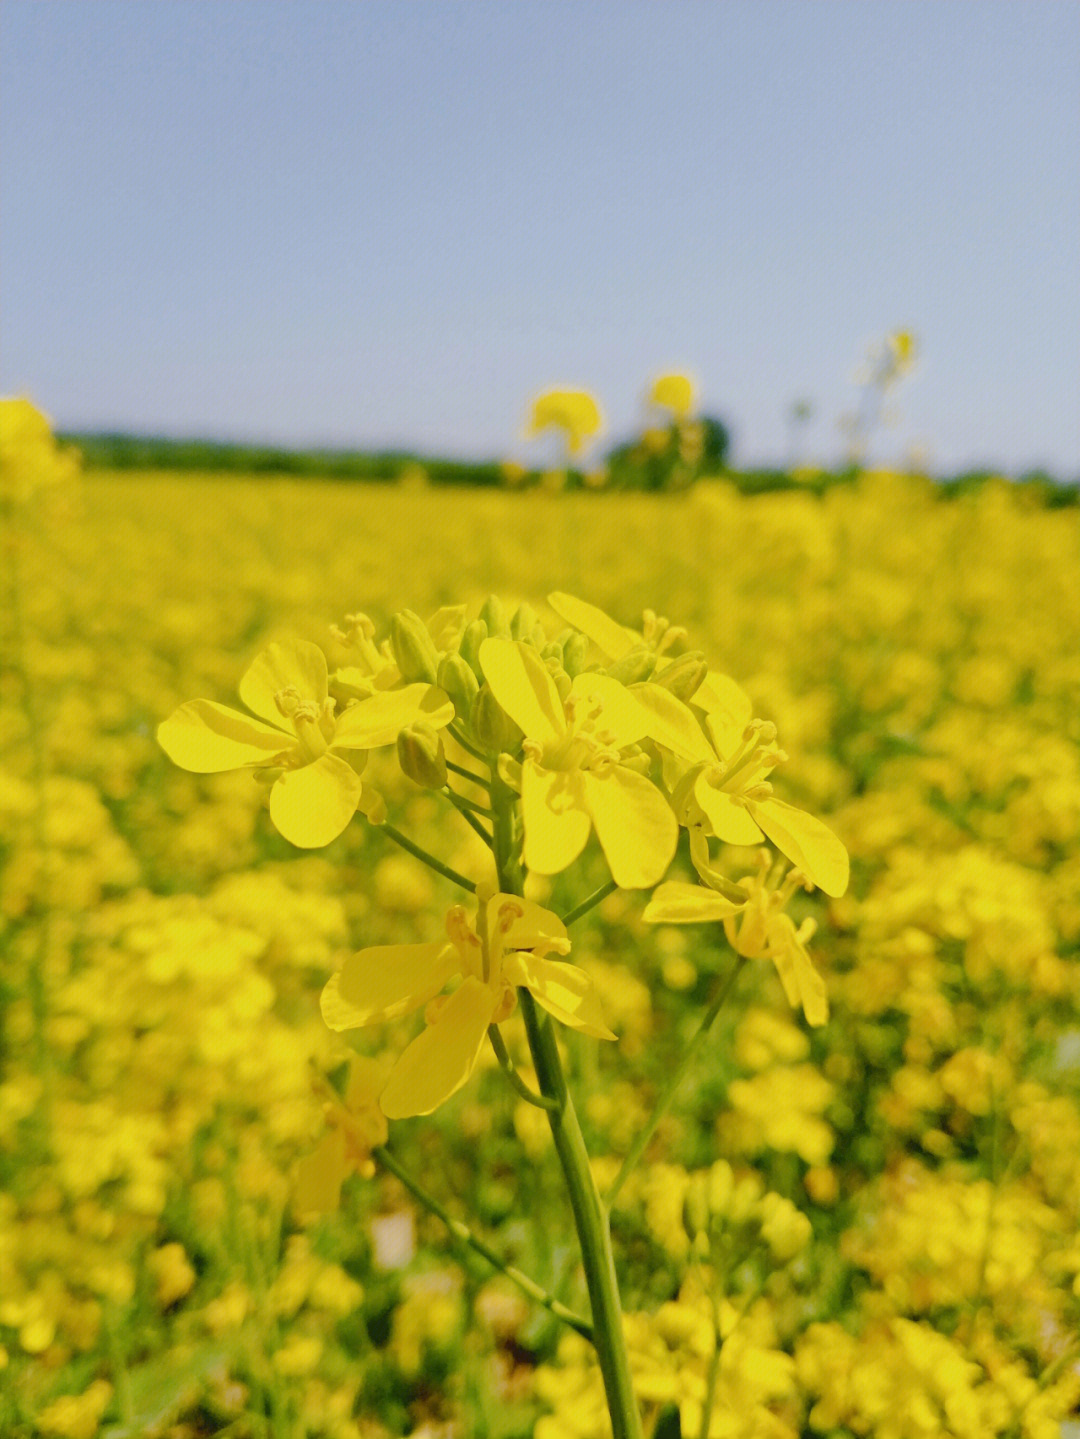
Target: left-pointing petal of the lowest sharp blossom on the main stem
(388,981)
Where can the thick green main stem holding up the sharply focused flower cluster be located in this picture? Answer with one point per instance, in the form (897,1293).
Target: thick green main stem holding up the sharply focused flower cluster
(590,1220)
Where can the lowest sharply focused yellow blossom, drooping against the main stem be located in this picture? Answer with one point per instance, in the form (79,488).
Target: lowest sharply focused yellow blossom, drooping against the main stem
(503,950)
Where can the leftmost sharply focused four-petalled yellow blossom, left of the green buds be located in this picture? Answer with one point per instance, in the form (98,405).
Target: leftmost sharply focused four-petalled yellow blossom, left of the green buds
(314,792)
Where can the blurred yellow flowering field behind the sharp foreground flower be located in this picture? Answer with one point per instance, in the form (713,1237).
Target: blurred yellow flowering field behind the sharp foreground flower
(861,1227)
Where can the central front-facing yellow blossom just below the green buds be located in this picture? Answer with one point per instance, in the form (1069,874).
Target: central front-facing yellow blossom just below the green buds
(575,775)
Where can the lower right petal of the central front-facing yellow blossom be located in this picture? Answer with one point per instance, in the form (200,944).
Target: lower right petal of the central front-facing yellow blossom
(636,827)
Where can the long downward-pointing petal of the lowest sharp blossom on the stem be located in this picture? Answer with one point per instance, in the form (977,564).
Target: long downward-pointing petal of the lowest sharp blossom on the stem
(441,1060)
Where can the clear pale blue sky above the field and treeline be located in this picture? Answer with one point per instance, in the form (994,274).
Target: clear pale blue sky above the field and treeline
(393,222)
